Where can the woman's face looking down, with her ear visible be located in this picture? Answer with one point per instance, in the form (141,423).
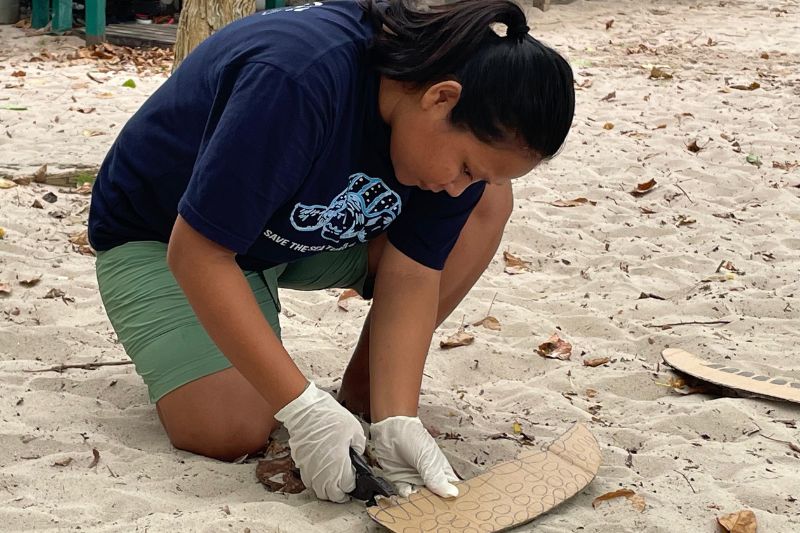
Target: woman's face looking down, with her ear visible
(429,153)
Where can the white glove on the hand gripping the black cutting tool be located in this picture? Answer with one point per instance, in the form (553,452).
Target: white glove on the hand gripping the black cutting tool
(321,433)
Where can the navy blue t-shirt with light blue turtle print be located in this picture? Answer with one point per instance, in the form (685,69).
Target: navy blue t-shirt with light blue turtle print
(268,141)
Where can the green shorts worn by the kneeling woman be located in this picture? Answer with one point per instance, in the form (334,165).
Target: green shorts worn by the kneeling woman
(157,326)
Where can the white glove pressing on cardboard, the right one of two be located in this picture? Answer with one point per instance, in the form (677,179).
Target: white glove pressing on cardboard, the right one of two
(410,457)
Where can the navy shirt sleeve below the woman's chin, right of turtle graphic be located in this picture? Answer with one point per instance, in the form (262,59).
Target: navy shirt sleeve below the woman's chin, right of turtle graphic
(430,223)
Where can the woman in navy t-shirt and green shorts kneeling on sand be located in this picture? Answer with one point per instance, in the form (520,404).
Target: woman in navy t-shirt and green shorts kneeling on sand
(357,144)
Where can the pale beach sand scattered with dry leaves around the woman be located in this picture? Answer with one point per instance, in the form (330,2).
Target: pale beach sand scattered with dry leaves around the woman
(590,265)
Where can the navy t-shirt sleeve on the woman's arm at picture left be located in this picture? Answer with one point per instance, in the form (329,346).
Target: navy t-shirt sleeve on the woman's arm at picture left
(258,146)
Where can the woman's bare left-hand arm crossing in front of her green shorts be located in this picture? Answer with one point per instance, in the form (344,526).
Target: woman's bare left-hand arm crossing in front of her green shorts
(224,303)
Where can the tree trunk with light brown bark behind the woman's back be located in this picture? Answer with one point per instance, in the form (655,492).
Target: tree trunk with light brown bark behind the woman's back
(201,18)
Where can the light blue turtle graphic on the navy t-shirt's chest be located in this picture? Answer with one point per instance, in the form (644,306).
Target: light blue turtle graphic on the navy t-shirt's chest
(362,211)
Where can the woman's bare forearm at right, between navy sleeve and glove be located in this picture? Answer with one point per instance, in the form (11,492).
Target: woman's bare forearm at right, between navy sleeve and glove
(403,318)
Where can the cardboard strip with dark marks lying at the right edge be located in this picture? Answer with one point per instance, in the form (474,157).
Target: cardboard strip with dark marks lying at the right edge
(733,377)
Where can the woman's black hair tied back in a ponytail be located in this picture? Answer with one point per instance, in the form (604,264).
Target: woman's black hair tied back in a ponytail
(512,85)
